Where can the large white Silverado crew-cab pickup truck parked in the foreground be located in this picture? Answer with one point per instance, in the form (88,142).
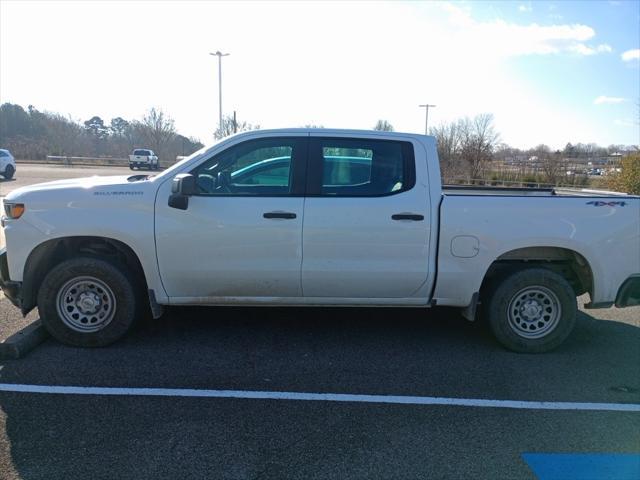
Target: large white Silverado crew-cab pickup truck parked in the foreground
(315,217)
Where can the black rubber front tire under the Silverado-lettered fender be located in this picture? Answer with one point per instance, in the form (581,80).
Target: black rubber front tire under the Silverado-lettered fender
(122,291)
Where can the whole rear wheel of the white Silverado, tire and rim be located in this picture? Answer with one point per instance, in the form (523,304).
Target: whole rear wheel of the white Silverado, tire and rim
(532,310)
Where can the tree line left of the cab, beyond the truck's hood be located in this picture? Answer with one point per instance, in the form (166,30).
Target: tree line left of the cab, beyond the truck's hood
(33,134)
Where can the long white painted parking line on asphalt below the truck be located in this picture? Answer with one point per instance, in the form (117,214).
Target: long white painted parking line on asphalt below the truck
(319,397)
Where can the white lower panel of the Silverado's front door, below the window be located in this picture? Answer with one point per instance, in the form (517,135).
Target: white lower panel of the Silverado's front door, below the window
(251,256)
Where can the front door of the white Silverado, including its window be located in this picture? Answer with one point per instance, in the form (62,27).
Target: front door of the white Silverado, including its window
(241,235)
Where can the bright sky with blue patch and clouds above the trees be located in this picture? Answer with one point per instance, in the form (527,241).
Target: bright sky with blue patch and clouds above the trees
(550,72)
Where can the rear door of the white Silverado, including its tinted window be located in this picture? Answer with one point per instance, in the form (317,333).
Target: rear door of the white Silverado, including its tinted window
(366,219)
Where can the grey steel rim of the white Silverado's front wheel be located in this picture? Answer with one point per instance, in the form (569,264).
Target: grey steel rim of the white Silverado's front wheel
(86,304)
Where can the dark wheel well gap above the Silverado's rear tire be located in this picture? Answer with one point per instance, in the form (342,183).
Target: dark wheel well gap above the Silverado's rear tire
(570,264)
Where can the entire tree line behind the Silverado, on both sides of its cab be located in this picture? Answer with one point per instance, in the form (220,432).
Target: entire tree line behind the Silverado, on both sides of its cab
(468,148)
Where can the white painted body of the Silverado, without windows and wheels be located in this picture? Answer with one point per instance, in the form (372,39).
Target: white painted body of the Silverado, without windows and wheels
(337,251)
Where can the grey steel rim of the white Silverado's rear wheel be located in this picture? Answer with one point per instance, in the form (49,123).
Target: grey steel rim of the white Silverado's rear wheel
(534,312)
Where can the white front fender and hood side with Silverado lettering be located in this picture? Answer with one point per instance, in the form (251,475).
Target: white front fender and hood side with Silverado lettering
(127,216)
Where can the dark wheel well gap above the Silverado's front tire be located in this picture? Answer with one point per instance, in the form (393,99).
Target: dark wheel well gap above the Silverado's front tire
(52,252)
